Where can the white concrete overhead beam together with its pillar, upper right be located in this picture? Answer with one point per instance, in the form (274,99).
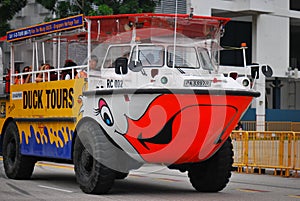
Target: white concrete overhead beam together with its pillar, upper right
(270,31)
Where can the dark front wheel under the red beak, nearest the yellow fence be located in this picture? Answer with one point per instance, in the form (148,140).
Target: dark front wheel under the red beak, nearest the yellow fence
(213,174)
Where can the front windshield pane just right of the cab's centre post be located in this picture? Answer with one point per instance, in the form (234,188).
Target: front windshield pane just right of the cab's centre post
(185,57)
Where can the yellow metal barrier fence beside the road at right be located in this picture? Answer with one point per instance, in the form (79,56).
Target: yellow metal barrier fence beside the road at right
(278,150)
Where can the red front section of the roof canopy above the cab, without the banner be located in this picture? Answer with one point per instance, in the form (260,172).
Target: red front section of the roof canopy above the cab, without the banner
(104,27)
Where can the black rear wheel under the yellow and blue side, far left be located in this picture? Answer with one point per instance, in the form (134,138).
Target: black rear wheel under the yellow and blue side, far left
(16,165)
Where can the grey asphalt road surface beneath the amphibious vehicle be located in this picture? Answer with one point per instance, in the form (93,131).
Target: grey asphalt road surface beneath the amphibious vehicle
(51,181)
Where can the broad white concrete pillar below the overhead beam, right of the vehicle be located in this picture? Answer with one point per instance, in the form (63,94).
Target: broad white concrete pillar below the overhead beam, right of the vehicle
(271,42)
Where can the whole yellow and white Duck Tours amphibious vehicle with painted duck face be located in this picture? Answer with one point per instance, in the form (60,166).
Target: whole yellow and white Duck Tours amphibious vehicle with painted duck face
(147,90)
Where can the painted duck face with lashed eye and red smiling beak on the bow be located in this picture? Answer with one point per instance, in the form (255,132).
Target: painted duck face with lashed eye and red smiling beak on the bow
(173,128)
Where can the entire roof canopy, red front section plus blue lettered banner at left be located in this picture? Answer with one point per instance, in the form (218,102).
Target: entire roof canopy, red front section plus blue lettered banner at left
(143,26)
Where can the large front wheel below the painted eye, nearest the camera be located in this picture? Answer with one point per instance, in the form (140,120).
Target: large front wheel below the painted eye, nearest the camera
(91,149)
